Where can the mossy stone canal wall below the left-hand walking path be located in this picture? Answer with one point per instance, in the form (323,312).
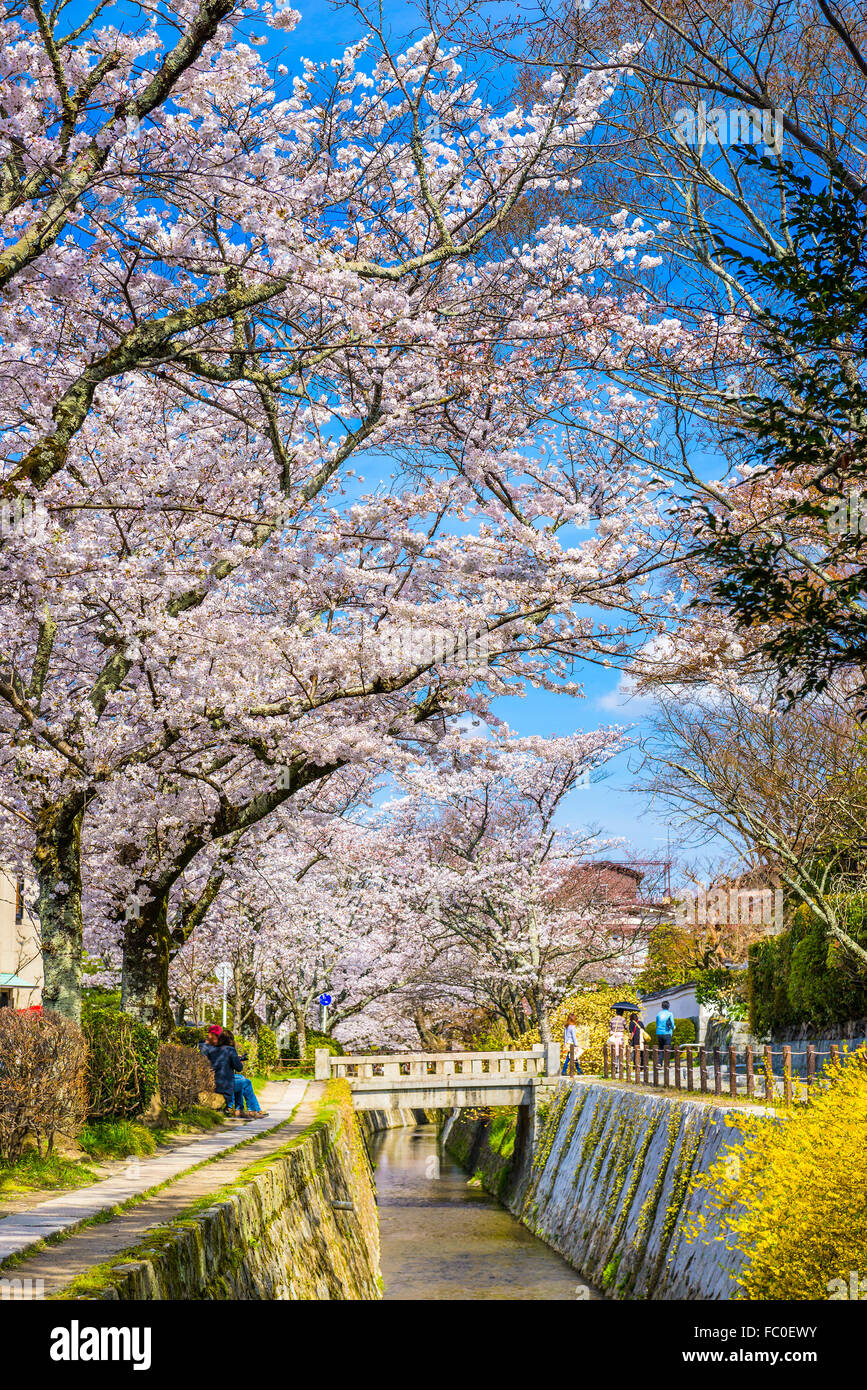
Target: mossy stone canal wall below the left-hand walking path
(301,1224)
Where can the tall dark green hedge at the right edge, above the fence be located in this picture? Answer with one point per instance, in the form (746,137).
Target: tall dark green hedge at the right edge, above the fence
(804,978)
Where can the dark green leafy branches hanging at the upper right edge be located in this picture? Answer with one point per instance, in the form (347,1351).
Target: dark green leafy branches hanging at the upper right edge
(787,547)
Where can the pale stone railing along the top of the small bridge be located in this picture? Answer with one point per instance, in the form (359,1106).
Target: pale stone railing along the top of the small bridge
(440,1067)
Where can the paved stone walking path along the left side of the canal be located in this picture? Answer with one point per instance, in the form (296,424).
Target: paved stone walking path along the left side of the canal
(62,1214)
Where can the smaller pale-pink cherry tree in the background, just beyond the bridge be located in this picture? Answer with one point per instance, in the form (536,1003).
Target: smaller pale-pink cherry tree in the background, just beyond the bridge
(522,915)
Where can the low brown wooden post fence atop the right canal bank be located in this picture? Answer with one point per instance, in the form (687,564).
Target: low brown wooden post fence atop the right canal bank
(720,1071)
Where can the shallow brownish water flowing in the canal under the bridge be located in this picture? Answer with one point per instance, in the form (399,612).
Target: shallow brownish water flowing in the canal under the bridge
(444,1239)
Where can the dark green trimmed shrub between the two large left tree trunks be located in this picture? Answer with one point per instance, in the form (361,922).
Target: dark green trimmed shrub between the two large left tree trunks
(123,1058)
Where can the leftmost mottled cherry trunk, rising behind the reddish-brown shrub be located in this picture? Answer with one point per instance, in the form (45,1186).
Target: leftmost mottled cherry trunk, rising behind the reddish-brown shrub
(58,867)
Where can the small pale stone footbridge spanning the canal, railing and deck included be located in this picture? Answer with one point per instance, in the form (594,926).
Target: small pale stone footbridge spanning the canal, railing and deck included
(444,1081)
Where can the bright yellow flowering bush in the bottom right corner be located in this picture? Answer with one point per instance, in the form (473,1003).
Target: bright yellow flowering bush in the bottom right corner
(794,1197)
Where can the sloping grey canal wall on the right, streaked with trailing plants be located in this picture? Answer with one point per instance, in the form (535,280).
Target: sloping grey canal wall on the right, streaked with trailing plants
(609,1188)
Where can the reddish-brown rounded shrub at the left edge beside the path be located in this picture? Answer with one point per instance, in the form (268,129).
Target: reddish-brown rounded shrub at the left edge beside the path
(42,1081)
